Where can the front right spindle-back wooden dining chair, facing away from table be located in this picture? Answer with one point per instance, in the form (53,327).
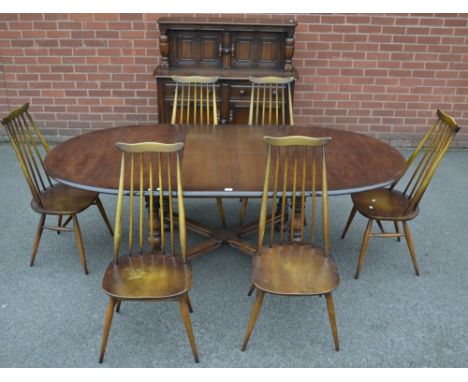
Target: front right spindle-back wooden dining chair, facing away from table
(292,265)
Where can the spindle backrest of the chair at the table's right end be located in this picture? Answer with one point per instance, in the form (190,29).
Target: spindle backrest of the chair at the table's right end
(427,157)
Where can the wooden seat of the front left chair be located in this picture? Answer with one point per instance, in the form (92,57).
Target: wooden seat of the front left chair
(146,277)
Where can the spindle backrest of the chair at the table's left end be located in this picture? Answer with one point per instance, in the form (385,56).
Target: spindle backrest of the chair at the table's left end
(30,148)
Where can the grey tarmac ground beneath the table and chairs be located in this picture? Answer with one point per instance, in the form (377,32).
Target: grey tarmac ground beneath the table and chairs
(51,315)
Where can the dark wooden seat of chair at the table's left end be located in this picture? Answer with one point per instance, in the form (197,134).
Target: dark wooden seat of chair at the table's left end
(64,200)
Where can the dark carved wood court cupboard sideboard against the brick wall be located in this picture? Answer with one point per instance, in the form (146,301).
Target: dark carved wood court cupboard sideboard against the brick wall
(229,48)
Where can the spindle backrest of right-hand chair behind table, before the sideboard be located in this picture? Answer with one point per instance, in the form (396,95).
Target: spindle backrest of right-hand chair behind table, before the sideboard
(271,101)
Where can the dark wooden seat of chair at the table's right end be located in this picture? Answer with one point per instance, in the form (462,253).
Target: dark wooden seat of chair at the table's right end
(384,204)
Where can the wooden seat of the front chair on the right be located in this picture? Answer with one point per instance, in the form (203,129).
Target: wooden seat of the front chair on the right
(295,270)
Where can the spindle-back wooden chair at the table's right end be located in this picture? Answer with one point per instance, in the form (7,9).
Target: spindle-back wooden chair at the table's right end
(399,207)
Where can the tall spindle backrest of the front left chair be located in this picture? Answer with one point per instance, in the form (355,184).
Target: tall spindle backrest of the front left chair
(151,169)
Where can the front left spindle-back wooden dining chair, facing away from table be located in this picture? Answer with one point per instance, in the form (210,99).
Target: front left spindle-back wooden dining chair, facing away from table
(155,272)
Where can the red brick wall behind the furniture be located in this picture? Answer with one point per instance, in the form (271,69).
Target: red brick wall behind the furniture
(383,75)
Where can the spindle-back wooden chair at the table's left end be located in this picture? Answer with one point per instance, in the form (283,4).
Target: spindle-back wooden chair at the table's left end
(48,198)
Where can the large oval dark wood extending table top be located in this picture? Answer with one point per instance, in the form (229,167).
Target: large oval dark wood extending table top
(223,160)
